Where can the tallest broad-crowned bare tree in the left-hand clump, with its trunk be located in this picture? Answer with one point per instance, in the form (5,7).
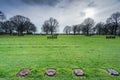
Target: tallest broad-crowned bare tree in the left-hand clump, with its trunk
(19,21)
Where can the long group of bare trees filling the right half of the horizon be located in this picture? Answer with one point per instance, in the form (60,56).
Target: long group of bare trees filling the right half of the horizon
(88,27)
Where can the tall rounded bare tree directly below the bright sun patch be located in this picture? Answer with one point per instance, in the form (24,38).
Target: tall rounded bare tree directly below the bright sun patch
(88,24)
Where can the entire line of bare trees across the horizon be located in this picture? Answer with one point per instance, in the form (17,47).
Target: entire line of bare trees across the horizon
(20,25)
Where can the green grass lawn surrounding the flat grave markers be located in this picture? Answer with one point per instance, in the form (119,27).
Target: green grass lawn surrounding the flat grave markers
(92,54)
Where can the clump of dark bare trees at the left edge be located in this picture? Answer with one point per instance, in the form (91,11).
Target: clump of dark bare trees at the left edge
(16,25)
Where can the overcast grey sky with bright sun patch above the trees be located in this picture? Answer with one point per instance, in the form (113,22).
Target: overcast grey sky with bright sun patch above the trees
(67,12)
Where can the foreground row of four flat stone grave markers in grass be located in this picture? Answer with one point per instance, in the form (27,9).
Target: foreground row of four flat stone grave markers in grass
(52,72)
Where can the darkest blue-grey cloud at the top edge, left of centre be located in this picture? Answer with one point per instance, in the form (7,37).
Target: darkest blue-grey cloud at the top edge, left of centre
(42,2)
